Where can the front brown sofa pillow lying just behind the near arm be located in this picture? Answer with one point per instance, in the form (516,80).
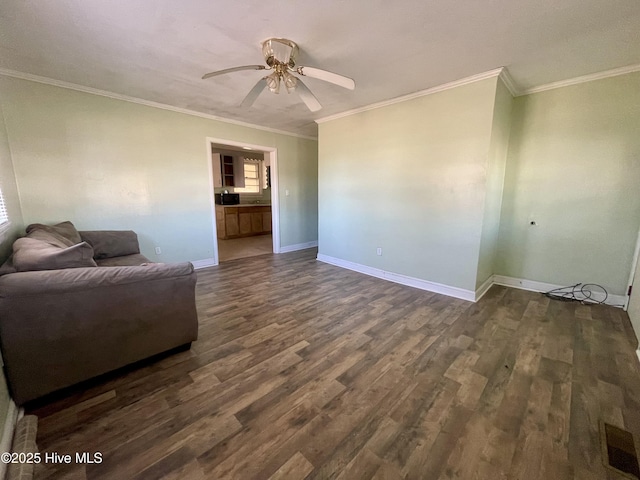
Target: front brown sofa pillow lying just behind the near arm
(32,254)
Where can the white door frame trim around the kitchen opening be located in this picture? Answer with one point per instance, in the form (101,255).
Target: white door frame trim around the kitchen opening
(272,152)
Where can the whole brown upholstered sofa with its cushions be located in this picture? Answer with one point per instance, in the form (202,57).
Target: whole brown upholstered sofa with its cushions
(74,305)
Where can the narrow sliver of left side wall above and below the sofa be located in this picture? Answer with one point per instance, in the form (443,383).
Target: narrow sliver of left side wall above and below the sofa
(12,202)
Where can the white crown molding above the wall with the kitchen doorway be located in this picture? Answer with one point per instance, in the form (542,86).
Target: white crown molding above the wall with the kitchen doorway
(116,96)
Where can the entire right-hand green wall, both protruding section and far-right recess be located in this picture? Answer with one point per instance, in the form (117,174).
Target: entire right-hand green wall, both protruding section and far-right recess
(447,185)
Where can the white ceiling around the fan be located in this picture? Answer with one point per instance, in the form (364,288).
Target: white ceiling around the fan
(158,50)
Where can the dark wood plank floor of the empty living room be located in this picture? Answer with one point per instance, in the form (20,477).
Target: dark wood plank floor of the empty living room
(306,370)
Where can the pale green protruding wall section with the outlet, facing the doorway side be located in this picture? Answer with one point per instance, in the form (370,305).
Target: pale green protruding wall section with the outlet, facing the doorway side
(410,178)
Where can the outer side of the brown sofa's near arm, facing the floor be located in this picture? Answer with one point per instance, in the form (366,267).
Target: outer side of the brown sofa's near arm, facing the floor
(60,327)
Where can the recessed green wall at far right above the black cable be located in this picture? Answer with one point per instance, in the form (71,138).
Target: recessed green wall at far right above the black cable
(573,167)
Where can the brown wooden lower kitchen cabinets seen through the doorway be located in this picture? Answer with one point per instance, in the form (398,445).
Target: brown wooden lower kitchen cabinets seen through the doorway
(242,220)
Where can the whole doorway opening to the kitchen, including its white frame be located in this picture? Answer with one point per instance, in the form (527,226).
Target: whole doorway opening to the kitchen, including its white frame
(252,227)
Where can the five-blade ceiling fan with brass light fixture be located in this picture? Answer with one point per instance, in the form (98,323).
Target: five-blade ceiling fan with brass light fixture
(280,56)
